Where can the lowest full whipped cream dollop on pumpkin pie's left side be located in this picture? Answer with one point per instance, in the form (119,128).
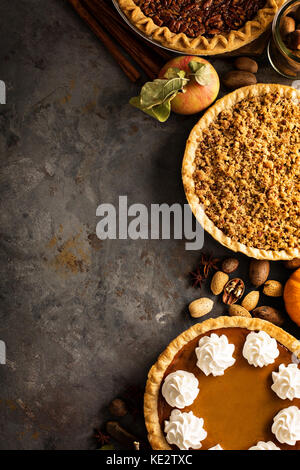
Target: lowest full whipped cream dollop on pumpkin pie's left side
(185,430)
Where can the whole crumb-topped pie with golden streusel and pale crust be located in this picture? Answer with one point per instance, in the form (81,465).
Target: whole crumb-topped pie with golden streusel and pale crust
(241,171)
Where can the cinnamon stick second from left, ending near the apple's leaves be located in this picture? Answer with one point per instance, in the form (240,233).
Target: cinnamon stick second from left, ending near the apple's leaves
(126,40)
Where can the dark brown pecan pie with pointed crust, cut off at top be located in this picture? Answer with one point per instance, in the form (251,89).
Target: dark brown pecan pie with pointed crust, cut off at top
(203,27)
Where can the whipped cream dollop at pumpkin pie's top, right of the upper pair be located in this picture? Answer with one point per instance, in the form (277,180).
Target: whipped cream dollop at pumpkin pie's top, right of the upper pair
(260,349)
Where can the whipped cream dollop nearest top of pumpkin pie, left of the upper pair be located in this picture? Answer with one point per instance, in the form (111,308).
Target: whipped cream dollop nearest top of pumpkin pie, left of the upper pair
(214,354)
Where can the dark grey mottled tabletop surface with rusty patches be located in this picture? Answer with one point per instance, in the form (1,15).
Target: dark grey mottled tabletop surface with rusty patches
(81,318)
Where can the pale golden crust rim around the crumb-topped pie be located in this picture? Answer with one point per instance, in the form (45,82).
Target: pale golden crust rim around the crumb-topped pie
(188,168)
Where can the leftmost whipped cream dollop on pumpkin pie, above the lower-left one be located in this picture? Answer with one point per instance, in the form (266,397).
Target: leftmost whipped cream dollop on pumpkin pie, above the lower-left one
(180,389)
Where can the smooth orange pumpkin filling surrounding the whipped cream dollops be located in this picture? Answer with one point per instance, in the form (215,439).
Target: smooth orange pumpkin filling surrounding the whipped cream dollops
(237,408)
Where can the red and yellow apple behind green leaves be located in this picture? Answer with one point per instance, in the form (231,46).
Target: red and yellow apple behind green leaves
(196,97)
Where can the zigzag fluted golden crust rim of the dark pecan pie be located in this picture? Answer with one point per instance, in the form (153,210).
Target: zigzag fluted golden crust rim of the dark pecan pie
(201,45)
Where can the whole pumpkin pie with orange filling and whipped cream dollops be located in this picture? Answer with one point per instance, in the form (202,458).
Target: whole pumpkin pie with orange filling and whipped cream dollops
(219,375)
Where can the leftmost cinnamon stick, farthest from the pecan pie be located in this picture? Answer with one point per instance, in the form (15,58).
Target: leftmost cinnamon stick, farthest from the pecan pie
(124,63)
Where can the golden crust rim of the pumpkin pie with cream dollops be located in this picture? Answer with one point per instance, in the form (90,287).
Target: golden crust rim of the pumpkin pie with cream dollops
(155,433)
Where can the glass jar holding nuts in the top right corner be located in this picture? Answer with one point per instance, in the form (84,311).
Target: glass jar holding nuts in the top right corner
(284,60)
